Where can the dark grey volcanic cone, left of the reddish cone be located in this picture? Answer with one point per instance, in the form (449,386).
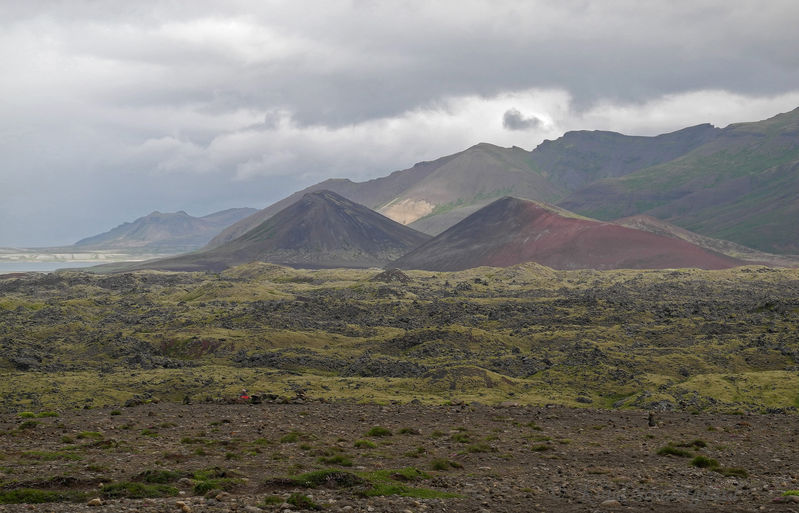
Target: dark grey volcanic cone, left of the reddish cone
(322,229)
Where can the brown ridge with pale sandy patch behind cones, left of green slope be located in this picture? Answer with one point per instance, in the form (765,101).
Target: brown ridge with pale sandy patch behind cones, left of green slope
(433,195)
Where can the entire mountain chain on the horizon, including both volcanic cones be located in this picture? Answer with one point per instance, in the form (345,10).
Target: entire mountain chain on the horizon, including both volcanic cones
(739,183)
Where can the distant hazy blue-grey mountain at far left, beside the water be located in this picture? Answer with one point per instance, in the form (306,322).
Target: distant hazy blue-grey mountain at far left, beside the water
(165,232)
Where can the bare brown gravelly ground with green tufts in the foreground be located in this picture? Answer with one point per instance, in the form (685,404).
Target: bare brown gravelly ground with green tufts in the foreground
(497,459)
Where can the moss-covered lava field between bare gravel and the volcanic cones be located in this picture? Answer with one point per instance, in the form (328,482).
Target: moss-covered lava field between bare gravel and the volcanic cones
(673,339)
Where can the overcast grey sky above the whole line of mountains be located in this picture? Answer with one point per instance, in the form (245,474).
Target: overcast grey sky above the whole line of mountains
(112,109)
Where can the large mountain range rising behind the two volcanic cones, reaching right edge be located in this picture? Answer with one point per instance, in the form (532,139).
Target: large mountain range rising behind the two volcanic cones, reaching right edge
(738,183)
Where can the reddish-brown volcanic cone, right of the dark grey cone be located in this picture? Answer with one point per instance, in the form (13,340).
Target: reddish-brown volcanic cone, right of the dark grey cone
(510,231)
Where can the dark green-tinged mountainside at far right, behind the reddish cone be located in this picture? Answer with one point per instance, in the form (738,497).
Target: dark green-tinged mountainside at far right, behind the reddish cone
(742,186)
